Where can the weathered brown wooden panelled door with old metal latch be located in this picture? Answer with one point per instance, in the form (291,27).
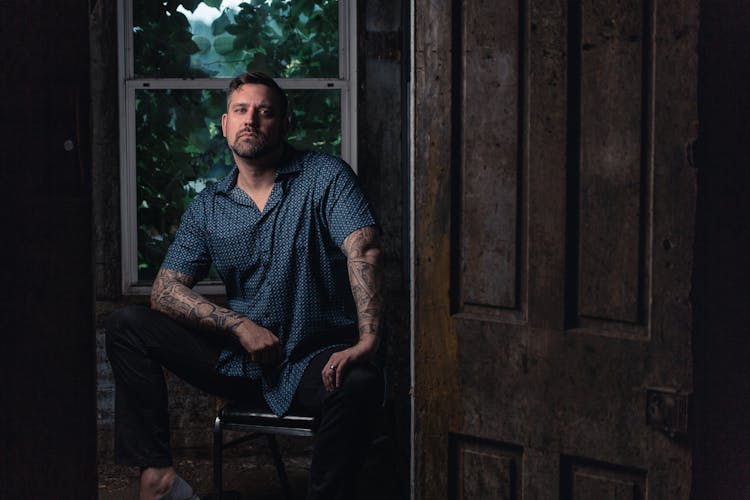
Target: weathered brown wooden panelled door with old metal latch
(554,207)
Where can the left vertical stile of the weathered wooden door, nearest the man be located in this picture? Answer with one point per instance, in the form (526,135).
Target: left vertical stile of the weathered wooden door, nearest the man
(436,384)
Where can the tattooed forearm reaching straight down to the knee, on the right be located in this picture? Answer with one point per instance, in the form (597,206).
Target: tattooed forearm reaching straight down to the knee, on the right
(362,250)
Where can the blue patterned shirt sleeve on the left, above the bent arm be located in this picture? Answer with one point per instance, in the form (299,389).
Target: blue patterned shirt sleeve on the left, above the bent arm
(188,253)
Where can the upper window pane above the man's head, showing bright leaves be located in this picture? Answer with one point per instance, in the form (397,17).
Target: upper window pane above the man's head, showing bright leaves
(215,38)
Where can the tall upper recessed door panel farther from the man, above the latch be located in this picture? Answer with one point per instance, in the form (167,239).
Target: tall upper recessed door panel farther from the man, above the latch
(613,85)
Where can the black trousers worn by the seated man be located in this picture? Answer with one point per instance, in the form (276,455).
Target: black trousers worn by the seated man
(141,341)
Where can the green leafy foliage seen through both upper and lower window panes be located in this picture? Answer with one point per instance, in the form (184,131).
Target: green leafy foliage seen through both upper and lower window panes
(179,145)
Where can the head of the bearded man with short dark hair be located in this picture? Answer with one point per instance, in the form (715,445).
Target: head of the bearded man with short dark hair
(253,124)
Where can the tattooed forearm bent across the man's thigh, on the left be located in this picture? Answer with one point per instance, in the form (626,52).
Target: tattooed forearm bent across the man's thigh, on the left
(172,295)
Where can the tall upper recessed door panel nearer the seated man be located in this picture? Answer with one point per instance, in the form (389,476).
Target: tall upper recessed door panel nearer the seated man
(489,151)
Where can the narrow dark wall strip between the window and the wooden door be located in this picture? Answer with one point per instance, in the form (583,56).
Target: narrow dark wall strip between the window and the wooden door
(382,163)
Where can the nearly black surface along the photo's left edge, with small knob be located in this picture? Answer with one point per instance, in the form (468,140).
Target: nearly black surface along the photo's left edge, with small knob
(47,397)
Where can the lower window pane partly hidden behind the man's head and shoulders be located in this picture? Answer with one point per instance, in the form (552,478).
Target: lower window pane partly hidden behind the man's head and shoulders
(180,150)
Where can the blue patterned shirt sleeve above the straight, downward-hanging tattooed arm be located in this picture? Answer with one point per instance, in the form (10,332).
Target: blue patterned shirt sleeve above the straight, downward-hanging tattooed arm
(345,206)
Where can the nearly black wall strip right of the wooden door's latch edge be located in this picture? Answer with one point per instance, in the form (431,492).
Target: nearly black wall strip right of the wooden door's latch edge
(722,255)
